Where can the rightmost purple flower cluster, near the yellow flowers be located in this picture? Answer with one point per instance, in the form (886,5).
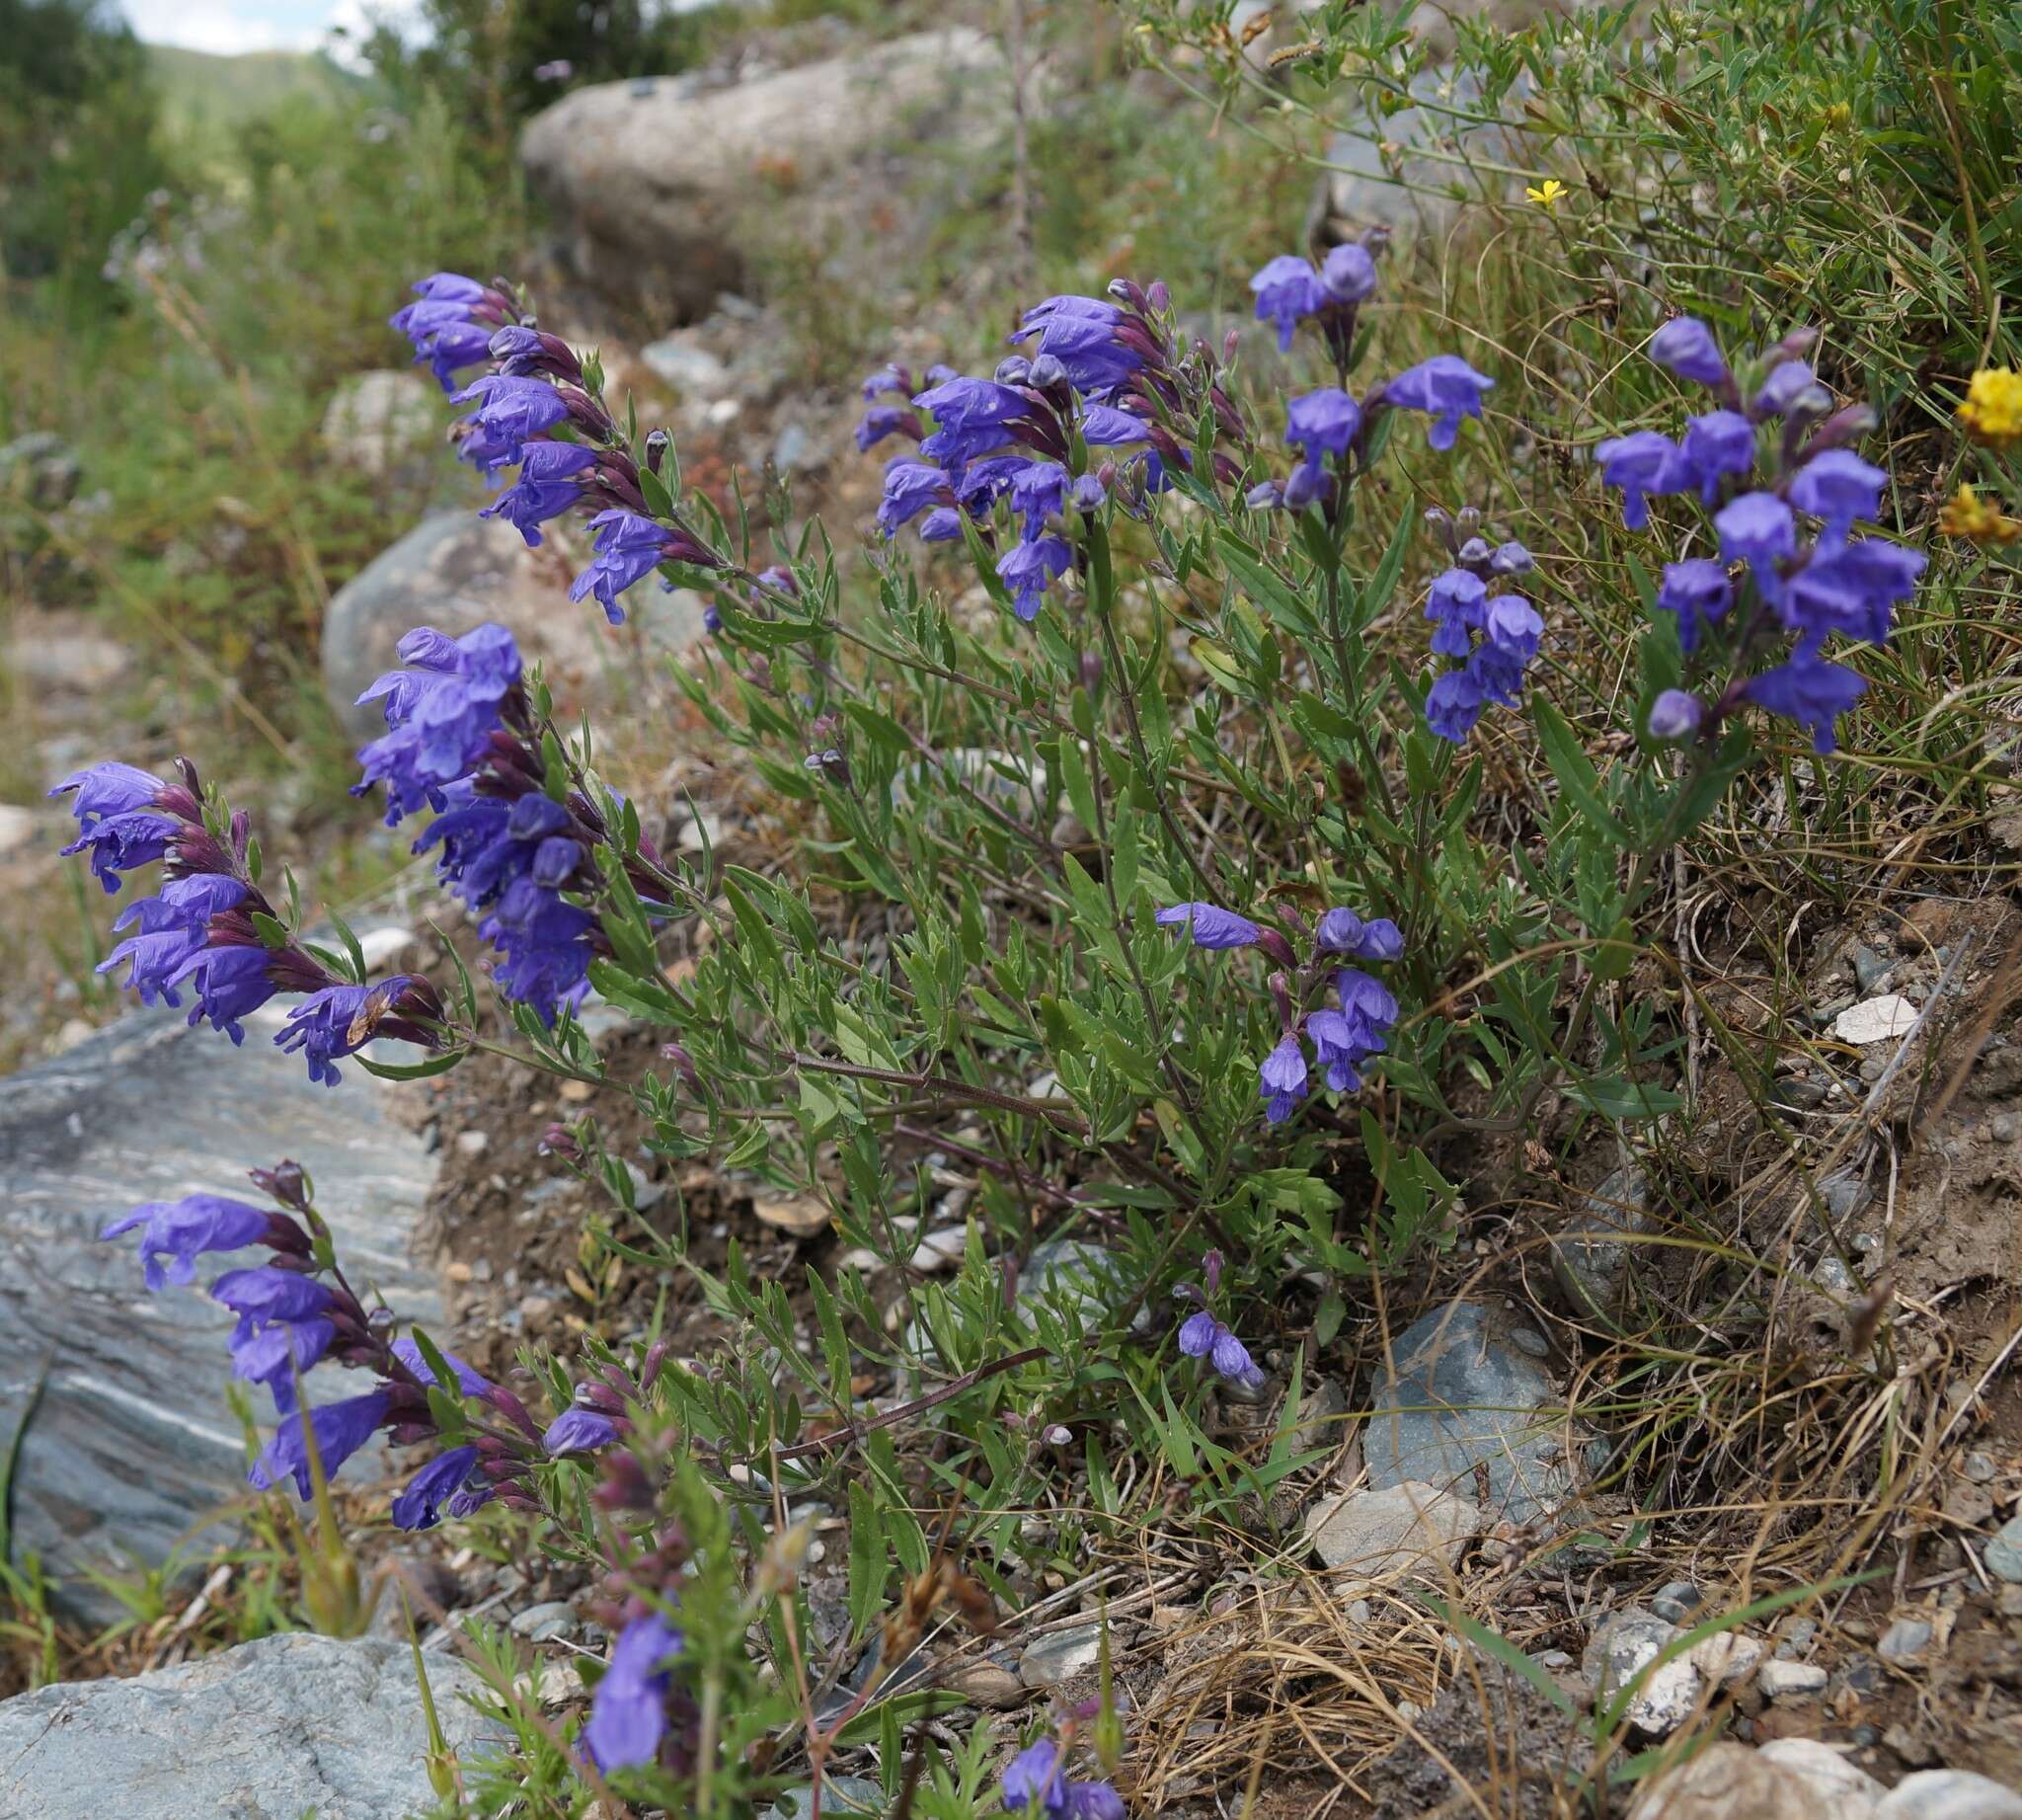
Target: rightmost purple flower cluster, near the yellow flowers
(1784,492)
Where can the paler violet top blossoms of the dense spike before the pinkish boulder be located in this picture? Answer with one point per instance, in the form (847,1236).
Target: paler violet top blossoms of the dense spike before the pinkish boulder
(442,713)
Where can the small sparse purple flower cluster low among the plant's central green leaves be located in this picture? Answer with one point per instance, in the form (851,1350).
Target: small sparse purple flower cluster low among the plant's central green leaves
(1344,1036)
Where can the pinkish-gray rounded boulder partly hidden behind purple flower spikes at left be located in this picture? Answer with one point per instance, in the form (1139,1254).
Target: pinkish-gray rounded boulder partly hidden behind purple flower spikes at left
(456,571)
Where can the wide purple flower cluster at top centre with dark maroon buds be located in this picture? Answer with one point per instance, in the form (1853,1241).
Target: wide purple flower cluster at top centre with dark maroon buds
(1083,414)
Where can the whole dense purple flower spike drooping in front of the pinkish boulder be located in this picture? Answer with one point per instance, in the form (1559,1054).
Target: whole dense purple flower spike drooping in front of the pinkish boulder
(462,741)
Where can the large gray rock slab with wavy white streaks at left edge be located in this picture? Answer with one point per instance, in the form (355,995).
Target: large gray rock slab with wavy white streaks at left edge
(132,1449)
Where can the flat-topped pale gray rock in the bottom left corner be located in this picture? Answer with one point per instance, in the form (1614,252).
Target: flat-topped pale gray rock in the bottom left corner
(272,1730)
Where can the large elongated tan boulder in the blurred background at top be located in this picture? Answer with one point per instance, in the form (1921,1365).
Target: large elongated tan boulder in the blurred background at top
(652,183)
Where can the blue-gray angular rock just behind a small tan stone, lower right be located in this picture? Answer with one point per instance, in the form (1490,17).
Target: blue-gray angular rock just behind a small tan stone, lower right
(1459,1398)
